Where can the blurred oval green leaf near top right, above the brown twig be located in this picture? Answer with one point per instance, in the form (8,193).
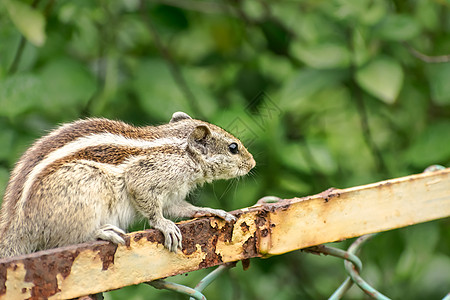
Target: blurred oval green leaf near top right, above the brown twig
(398,28)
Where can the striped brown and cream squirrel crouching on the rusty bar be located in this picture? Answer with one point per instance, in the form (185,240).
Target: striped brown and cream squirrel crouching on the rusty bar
(90,179)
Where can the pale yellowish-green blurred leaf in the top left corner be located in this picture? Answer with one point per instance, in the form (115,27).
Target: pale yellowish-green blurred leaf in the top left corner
(29,21)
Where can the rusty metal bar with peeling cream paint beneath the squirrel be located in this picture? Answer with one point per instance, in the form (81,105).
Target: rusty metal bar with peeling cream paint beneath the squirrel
(262,230)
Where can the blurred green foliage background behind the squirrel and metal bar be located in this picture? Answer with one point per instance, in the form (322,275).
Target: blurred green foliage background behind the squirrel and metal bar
(325,93)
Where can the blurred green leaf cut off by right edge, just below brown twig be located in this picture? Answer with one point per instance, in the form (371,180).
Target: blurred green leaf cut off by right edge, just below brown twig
(438,76)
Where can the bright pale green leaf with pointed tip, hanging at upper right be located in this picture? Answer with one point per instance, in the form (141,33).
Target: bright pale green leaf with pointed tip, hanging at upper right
(382,78)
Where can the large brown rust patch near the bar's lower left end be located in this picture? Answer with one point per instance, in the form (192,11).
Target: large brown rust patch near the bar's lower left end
(42,271)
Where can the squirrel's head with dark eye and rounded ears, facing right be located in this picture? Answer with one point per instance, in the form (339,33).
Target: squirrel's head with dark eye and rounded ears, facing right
(220,154)
